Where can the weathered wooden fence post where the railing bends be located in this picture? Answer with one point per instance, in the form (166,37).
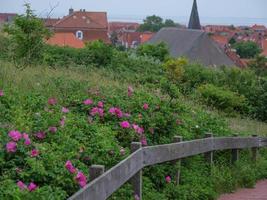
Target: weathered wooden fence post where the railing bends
(136,180)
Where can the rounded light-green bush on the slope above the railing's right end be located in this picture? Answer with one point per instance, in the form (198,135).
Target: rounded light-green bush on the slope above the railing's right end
(221,98)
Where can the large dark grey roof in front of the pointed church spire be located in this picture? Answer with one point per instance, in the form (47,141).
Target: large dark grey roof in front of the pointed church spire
(193,44)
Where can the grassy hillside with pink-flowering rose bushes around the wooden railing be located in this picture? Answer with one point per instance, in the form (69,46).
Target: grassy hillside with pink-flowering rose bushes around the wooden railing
(49,105)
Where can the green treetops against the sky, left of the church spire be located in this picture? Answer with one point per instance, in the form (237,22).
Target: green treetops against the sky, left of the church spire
(155,23)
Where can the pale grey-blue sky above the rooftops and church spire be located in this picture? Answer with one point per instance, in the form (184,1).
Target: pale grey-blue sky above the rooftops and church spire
(210,11)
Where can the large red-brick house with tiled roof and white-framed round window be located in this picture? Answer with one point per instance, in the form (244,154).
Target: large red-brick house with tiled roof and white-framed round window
(86,26)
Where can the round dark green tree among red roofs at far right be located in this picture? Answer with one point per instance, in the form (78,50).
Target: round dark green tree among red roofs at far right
(247,49)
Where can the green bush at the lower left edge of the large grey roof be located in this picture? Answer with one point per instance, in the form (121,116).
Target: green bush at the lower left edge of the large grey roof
(159,51)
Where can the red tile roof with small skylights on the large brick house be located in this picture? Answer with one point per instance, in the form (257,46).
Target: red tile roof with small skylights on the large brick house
(83,20)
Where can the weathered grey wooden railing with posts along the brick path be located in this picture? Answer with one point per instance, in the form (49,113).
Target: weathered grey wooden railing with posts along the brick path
(104,184)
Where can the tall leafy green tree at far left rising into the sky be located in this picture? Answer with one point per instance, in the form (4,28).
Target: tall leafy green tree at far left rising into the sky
(27,34)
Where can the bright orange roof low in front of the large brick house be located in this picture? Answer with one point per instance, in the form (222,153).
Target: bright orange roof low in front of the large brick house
(65,39)
